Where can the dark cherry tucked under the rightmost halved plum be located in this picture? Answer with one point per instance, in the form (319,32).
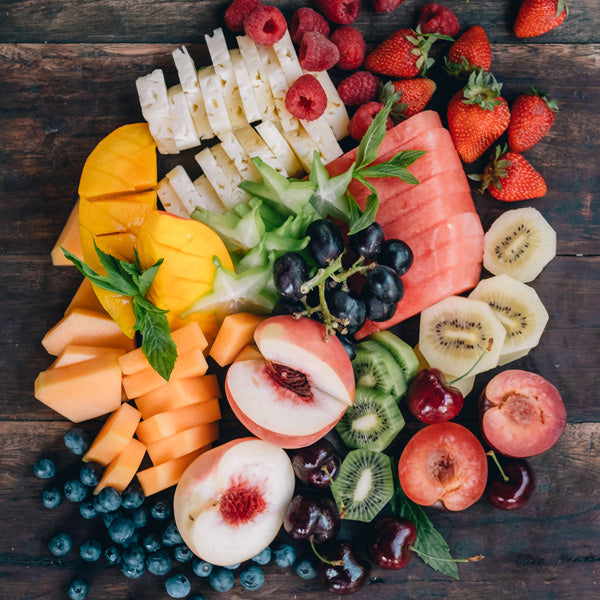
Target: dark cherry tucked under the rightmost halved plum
(515,492)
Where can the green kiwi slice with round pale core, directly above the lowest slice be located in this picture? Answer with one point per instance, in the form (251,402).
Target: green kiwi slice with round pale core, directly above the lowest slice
(372,422)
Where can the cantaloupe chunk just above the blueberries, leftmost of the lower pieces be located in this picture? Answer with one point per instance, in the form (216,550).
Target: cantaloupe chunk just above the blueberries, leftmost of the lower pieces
(114,435)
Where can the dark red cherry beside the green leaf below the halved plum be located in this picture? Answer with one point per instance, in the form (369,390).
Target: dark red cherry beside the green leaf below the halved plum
(391,541)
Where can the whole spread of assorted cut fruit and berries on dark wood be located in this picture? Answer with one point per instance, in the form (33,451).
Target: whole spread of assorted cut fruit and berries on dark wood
(290,286)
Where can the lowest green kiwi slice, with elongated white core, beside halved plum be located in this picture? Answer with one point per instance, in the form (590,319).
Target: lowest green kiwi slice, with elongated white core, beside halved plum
(364,485)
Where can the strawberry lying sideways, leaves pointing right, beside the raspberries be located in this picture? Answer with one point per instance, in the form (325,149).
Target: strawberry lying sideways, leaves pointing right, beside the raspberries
(403,54)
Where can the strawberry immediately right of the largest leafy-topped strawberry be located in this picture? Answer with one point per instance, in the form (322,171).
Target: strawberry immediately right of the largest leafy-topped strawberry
(531,117)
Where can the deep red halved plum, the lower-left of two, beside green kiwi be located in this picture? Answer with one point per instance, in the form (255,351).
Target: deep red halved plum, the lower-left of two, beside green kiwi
(443,464)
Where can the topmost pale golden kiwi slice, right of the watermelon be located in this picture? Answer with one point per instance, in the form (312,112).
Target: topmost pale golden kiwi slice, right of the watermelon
(520,243)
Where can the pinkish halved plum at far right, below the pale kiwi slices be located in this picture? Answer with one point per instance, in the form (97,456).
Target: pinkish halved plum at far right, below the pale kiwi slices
(521,413)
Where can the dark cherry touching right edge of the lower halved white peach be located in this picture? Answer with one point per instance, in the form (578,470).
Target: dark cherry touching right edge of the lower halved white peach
(307,517)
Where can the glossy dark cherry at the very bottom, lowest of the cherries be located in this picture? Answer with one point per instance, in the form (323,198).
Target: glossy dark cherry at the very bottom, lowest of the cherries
(347,577)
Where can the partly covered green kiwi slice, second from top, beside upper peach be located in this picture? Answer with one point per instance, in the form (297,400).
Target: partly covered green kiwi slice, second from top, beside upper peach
(376,368)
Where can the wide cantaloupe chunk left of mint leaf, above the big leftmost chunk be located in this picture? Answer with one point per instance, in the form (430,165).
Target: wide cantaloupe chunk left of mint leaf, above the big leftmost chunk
(86,328)
